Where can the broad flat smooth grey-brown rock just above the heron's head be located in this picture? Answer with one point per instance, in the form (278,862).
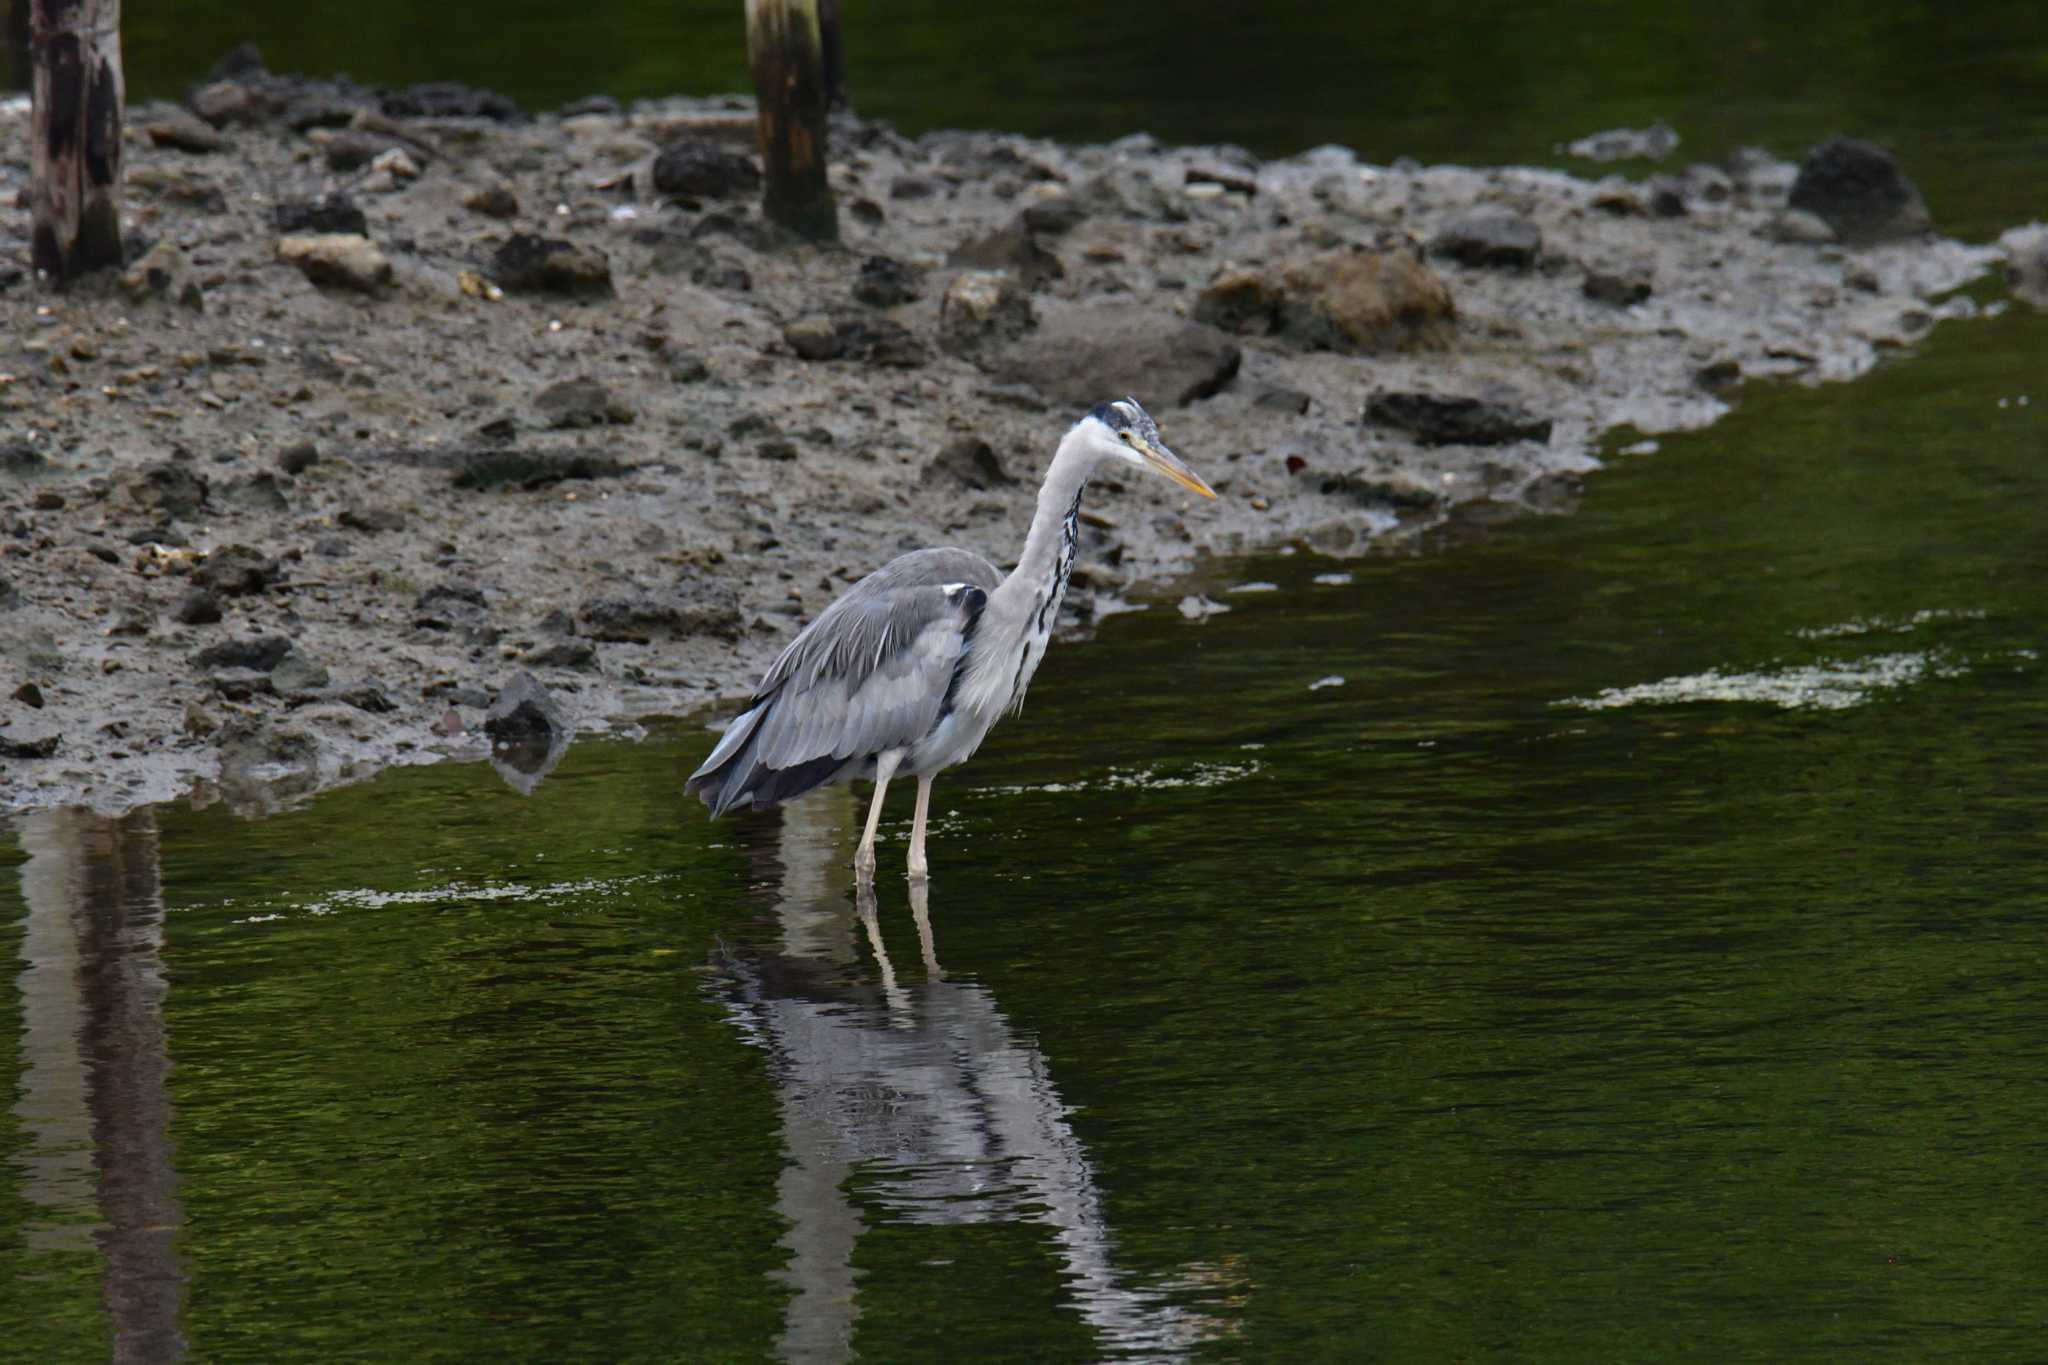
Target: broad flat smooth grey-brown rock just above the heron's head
(1084,353)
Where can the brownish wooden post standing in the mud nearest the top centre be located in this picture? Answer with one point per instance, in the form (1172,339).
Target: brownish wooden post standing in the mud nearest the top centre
(790,83)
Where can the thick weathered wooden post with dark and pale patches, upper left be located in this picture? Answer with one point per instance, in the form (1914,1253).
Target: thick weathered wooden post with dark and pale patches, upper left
(75,134)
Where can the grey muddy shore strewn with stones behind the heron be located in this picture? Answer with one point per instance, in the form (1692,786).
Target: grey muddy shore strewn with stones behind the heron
(409,396)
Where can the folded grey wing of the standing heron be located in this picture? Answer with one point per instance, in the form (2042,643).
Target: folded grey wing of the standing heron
(871,674)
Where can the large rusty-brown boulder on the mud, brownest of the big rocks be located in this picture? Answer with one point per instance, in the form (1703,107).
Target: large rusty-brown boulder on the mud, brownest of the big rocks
(1361,302)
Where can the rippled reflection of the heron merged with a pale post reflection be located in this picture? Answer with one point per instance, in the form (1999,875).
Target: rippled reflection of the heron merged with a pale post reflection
(923,1094)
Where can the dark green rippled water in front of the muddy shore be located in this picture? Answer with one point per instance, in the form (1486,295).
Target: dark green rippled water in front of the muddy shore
(1617,938)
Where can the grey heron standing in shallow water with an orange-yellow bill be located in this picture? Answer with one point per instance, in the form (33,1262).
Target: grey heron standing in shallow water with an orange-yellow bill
(908,670)
